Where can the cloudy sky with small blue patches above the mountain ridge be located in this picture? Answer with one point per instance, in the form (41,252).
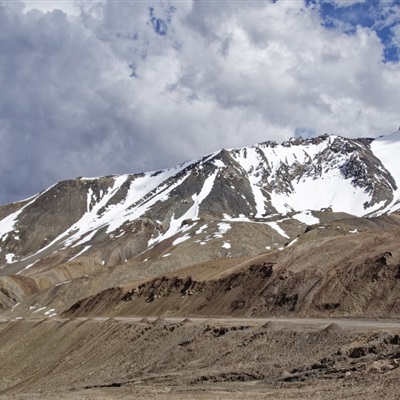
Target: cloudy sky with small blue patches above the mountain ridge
(97,87)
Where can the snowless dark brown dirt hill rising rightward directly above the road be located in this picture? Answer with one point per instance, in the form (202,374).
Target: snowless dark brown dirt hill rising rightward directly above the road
(356,275)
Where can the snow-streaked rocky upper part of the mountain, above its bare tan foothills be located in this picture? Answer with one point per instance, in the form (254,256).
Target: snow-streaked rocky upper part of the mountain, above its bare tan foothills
(262,184)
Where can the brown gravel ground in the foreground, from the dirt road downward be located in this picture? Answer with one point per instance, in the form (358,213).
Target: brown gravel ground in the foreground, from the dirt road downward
(176,359)
